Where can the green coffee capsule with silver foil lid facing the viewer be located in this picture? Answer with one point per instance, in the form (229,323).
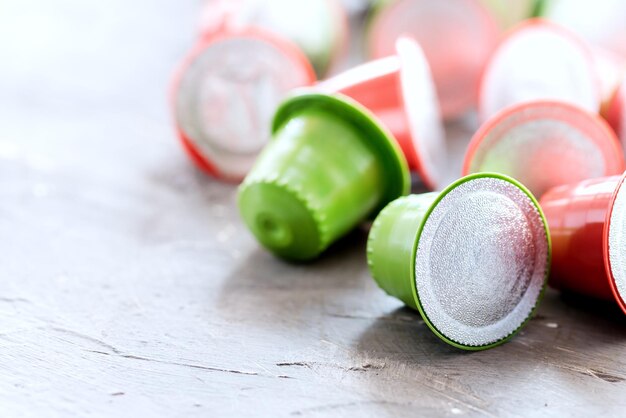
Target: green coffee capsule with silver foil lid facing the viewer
(473,259)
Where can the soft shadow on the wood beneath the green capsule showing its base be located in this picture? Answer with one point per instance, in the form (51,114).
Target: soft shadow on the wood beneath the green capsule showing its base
(266,291)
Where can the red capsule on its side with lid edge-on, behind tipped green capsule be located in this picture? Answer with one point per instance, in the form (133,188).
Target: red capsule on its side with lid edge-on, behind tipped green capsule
(399,90)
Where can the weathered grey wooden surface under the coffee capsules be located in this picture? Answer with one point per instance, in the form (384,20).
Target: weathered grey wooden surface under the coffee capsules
(128,286)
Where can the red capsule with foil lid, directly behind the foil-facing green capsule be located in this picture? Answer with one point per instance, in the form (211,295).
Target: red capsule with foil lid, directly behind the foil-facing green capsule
(544,144)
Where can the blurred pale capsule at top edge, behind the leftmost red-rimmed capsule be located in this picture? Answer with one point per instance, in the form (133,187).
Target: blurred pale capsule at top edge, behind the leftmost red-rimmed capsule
(318,27)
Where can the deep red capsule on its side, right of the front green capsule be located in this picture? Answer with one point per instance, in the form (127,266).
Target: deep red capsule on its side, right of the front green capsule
(587,224)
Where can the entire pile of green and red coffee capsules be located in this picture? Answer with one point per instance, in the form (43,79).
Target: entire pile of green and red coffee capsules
(259,100)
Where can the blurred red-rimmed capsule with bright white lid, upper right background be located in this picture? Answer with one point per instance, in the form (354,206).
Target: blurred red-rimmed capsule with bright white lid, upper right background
(539,60)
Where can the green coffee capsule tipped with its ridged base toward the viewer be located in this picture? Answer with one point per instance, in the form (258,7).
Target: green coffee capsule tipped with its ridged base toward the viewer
(328,167)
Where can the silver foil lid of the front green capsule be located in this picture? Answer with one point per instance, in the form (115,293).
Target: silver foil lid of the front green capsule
(481,261)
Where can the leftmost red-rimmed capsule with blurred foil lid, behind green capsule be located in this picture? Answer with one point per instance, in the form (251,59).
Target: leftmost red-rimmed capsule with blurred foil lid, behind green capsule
(225,93)
